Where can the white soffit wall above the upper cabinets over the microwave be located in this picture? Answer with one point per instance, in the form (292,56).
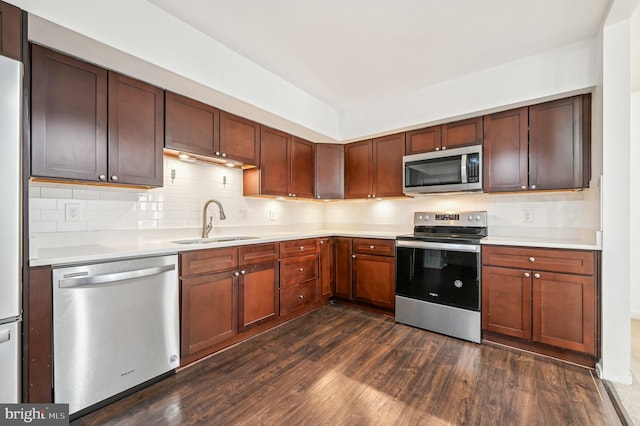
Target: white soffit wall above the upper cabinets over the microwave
(565,70)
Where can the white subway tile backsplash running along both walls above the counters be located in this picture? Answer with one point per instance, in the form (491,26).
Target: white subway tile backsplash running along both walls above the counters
(178,204)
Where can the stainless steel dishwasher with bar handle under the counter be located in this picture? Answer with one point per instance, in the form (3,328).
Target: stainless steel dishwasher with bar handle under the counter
(115,326)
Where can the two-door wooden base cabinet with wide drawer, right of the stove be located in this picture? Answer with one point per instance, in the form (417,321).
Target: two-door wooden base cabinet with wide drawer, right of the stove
(545,296)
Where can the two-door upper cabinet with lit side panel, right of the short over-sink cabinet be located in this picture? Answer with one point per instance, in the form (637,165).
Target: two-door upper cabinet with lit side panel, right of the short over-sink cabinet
(287,166)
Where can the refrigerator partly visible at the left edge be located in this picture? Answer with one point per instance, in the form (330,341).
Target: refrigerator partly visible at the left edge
(11,74)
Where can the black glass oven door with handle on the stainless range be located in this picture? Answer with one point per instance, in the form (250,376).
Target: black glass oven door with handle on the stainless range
(442,273)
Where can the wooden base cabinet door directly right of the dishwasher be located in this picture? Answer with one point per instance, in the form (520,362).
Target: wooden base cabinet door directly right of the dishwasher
(209,311)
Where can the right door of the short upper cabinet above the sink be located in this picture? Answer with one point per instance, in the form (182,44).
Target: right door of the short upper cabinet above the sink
(239,139)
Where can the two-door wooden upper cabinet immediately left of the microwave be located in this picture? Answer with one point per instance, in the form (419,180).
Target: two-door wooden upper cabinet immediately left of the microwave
(373,168)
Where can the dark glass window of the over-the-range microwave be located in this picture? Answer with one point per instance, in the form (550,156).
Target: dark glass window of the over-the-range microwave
(437,171)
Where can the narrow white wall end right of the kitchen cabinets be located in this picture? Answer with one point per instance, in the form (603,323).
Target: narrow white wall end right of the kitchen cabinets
(615,362)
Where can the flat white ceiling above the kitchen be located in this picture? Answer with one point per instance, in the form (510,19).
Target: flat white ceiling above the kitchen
(351,52)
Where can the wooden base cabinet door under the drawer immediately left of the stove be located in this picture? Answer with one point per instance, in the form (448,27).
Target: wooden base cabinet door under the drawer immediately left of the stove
(374,279)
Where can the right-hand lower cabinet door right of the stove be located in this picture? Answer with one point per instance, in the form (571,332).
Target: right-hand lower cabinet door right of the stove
(564,311)
